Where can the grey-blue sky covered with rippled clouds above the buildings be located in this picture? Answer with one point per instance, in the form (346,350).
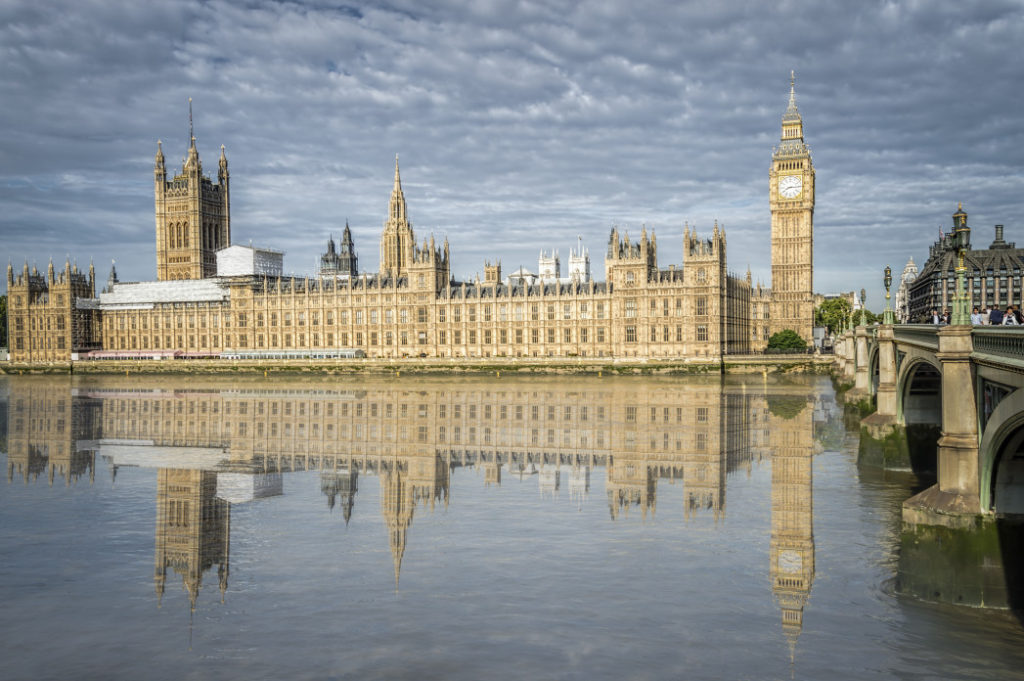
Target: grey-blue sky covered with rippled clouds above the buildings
(521,125)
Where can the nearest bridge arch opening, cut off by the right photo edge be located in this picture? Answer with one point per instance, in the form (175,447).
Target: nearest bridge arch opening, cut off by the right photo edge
(1002,454)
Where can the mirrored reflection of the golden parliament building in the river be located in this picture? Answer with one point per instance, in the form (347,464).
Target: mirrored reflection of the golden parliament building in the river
(217,446)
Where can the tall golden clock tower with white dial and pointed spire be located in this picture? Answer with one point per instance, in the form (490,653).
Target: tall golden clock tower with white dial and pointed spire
(792,201)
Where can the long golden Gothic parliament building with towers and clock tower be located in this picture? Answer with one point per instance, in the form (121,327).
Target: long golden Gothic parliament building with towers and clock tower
(212,299)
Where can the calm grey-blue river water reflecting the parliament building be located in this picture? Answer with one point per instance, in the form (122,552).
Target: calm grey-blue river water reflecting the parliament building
(431,529)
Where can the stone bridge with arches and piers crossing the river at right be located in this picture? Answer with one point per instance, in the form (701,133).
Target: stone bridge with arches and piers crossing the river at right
(962,384)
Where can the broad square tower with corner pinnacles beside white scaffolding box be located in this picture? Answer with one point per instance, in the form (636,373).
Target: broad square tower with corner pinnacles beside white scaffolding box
(193,216)
